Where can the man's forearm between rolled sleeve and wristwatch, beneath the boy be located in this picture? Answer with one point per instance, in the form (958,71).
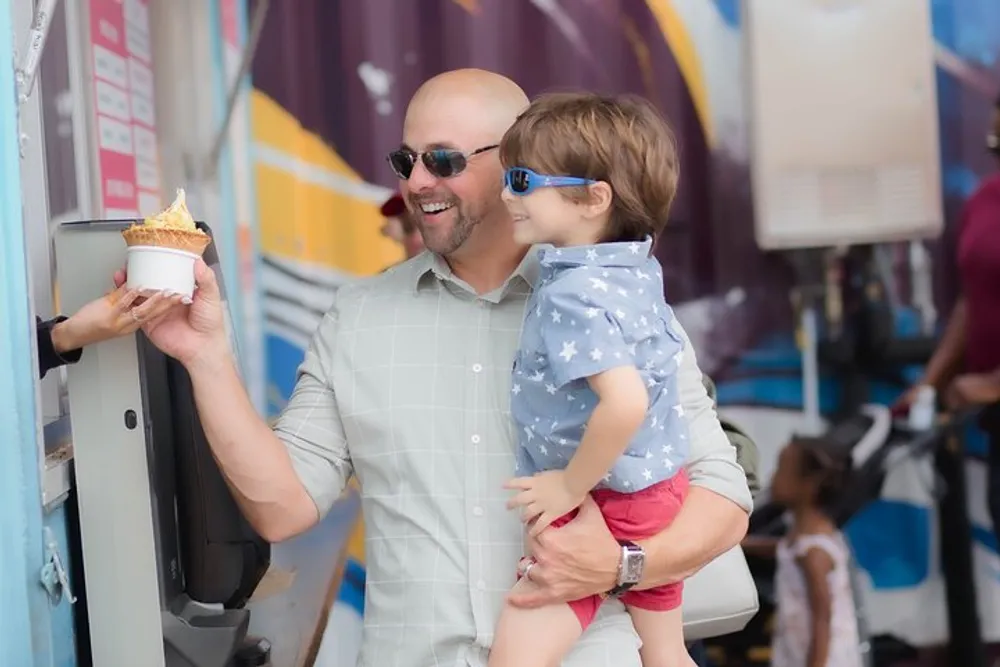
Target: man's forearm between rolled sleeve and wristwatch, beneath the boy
(707,526)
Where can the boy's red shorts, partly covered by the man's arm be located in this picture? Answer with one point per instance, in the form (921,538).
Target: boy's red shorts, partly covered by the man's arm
(636,516)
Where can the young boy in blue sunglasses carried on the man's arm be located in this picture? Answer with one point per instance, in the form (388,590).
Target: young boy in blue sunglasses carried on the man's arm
(594,391)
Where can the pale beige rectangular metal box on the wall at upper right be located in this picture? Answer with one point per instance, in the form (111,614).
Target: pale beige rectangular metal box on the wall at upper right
(843,122)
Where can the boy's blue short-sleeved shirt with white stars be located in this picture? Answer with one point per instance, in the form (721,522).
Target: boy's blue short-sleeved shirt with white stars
(595,308)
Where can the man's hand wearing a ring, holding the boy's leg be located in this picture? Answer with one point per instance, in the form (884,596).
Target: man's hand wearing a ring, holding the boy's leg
(573,561)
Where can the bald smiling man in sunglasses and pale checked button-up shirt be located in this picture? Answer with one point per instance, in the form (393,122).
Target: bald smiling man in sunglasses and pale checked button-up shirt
(406,385)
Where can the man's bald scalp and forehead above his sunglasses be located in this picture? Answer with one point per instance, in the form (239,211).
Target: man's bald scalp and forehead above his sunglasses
(492,99)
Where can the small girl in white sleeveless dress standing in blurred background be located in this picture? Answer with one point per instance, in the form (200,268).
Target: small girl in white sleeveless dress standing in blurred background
(815,620)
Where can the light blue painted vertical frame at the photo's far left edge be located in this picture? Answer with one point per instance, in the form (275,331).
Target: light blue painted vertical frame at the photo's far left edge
(24,623)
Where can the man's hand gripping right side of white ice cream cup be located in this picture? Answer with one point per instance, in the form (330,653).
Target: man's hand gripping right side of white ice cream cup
(195,333)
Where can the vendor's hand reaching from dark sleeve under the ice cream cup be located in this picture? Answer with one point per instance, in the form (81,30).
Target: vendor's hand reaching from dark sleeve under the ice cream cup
(119,313)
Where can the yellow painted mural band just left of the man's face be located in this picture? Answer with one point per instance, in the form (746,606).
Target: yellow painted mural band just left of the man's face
(303,221)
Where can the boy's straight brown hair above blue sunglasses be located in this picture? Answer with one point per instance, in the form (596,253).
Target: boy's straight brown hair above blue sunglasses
(623,141)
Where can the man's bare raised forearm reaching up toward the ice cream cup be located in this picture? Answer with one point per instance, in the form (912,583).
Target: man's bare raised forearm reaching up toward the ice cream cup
(252,458)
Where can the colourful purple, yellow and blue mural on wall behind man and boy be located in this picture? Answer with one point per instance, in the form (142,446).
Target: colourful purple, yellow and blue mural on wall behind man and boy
(331,82)
